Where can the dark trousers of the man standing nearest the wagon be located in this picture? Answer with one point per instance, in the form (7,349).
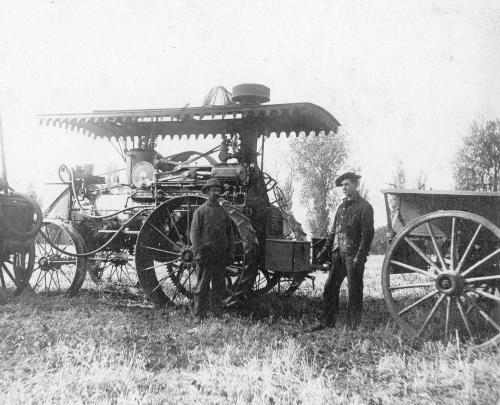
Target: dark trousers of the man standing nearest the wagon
(342,266)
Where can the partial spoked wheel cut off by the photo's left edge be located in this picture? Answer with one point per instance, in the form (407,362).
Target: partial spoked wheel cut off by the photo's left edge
(16,269)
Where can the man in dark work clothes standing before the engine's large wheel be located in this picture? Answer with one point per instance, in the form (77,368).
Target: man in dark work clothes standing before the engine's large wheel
(212,241)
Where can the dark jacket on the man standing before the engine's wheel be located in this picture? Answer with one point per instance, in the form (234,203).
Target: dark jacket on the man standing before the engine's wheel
(211,231)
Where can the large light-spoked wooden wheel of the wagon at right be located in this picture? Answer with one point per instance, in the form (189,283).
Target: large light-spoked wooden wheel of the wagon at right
(441,277)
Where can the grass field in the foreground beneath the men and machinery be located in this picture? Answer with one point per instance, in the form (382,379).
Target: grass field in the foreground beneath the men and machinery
(112,347)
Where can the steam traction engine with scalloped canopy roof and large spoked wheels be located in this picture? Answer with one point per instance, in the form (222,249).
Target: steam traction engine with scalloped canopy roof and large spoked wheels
(149,215)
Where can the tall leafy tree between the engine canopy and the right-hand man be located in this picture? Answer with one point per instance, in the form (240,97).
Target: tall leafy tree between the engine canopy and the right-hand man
(318,162)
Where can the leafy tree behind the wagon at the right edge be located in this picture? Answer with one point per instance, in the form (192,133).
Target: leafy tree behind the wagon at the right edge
(477,164)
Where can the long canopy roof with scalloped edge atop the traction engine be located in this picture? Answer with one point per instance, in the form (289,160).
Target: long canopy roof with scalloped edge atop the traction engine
(287,119)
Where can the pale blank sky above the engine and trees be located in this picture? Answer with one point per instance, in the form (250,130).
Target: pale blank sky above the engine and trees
(404,78)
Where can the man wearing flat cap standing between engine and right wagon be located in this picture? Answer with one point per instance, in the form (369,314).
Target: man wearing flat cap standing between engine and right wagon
(348,243)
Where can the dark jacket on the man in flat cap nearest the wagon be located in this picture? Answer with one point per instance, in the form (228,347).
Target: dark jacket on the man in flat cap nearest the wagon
(354,221)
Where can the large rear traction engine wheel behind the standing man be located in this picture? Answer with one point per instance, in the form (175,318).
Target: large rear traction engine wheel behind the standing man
(165,259)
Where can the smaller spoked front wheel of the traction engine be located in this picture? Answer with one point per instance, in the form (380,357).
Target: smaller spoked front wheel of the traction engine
(55,272)
